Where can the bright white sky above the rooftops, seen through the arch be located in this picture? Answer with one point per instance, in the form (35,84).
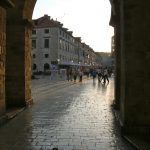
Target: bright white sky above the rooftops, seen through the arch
(88,19)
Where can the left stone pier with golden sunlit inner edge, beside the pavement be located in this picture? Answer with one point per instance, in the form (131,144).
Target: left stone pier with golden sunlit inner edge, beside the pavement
(18,61)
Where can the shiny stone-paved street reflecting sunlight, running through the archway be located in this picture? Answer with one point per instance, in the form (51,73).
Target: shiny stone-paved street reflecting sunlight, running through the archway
(77,117)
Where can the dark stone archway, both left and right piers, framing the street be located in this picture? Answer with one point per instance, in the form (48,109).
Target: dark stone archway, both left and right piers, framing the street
(134,55)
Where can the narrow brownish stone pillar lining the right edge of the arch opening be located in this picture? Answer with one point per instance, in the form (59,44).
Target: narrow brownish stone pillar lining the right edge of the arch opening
(115,22)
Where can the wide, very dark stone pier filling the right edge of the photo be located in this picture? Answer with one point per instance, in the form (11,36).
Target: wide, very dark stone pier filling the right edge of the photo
(135,61)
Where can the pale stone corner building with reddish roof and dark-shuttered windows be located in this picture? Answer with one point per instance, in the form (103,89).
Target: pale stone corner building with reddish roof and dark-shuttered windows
(52,44)
